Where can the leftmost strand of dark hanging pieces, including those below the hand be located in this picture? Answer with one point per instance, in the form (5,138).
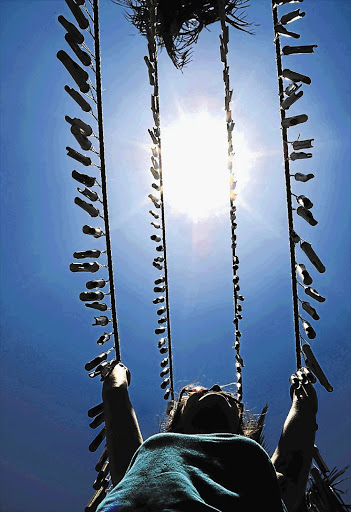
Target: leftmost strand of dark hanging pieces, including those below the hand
(87,17)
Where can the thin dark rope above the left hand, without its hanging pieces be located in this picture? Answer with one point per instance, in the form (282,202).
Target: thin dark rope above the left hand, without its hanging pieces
(103,178)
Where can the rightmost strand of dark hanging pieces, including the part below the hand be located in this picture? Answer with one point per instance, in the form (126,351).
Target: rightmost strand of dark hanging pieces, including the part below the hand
(321,496)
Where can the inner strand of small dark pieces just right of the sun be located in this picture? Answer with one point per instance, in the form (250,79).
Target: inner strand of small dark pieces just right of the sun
(224,39)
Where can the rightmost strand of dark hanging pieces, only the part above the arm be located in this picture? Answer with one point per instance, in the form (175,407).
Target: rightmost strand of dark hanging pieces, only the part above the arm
(288,97)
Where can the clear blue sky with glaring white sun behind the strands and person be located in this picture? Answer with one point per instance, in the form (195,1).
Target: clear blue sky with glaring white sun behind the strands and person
(46,332)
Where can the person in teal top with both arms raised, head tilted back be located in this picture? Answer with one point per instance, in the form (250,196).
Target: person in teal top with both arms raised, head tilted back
(207,458)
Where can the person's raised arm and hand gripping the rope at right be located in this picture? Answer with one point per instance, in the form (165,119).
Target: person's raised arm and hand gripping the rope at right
(293,457)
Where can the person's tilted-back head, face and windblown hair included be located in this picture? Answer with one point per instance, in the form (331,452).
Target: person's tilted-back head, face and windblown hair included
(200,410)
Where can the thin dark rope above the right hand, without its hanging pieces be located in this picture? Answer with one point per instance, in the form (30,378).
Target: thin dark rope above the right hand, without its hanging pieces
(288,194)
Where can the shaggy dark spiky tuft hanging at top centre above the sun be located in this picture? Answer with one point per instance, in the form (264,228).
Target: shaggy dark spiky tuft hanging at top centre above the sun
(179,22)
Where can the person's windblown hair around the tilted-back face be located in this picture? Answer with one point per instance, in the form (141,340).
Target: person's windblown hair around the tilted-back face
(251,425)
